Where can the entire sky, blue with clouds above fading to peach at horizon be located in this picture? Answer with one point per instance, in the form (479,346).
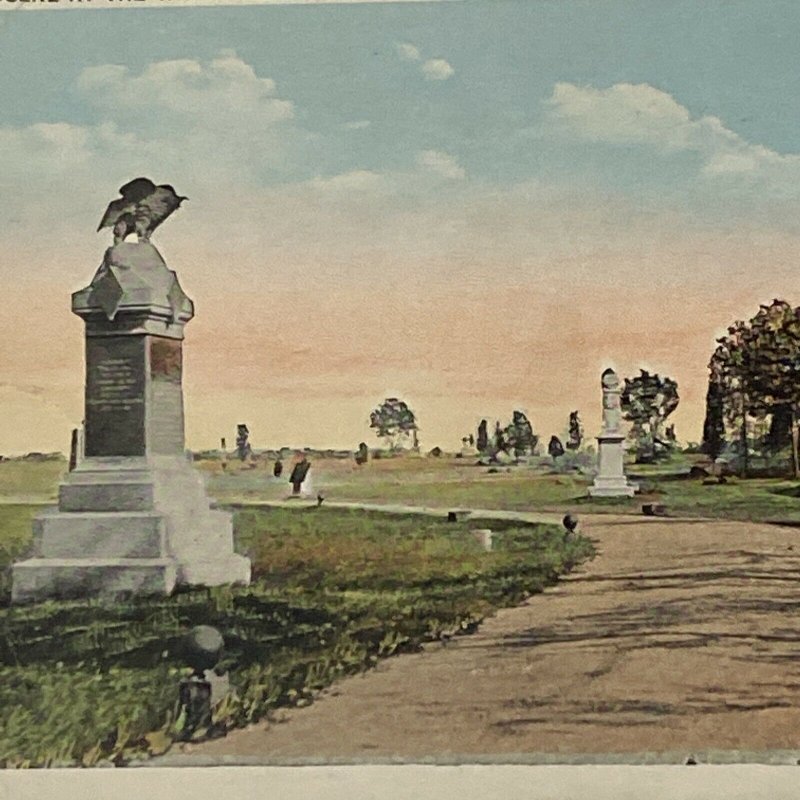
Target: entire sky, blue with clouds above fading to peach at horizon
(474,206)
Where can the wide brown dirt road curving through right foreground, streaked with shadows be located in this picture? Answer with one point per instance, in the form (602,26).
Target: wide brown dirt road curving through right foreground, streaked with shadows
(681,635)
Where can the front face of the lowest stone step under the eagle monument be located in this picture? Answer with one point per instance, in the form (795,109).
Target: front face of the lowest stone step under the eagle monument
(69,578)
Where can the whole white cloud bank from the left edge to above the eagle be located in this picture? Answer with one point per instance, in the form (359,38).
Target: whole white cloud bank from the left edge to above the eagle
(208,128)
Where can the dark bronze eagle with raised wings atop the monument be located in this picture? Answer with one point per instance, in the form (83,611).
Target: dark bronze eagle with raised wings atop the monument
(142,207)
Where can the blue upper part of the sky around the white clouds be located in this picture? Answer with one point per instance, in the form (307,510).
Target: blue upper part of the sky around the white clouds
(734,60)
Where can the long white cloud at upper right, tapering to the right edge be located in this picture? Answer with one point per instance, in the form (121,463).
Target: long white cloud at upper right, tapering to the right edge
(628,113)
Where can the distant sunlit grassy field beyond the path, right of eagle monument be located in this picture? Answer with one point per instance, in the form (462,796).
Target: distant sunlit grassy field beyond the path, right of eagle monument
(456,483)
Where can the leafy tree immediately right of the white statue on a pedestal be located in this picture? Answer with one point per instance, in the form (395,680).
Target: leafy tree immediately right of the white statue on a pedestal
(647,401)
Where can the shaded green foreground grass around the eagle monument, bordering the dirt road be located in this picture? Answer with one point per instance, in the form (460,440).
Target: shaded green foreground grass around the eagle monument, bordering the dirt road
(334,591)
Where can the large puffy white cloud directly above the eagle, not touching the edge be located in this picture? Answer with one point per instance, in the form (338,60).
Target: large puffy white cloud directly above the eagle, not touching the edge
(175,115)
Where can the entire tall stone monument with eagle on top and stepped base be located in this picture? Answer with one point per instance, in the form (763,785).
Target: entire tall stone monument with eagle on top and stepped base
(133,517)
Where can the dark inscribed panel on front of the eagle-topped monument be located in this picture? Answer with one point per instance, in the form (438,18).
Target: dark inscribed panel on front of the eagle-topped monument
(115,396)
